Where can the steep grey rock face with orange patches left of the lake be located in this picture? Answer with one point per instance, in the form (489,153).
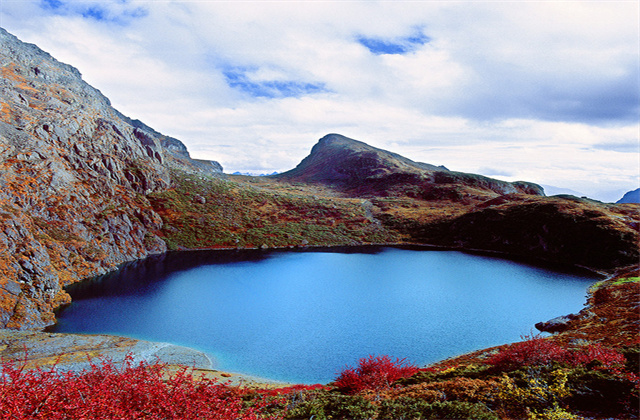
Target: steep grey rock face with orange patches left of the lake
(74,173)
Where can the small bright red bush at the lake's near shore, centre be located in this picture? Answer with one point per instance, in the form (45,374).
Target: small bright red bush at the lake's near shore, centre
(374,373)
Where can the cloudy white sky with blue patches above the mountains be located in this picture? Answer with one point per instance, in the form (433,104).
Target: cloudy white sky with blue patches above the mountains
(540,91)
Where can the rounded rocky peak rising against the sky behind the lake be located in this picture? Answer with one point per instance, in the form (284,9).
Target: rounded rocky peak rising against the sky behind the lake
(359,169)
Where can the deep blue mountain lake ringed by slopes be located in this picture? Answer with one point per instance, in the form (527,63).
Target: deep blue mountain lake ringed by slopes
(301,316)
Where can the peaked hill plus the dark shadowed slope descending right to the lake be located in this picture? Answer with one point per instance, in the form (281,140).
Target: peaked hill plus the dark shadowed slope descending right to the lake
(432,205)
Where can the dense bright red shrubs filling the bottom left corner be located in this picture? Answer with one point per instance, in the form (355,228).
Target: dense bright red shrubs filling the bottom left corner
(108,392)
